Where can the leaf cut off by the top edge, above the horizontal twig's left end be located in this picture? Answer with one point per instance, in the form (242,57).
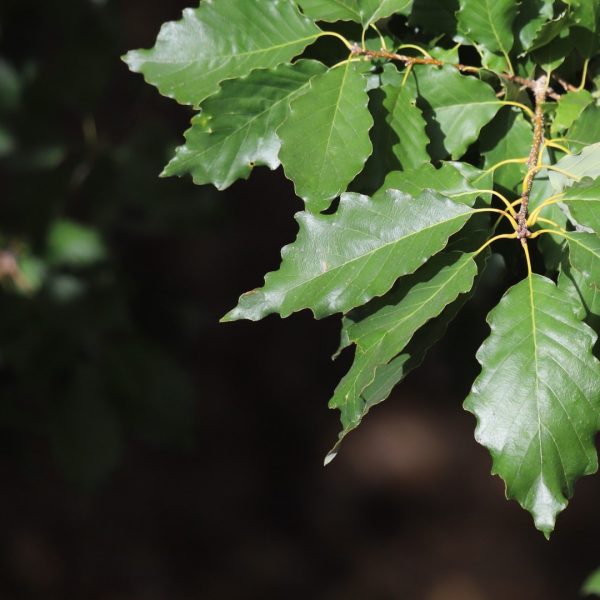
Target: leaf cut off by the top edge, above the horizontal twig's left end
(361,11)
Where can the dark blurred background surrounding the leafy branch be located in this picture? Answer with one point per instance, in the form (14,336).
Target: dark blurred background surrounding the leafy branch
(147,452)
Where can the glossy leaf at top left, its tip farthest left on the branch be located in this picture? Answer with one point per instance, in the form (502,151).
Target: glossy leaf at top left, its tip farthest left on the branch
(222,39)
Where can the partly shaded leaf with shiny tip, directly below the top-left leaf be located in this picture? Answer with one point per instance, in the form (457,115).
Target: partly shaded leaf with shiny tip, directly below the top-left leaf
(236,129)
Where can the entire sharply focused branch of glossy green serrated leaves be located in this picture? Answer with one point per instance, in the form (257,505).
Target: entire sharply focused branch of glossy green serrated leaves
(401,258)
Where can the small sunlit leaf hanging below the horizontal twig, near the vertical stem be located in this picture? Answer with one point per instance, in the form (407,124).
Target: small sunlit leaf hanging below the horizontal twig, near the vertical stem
(456,107)
